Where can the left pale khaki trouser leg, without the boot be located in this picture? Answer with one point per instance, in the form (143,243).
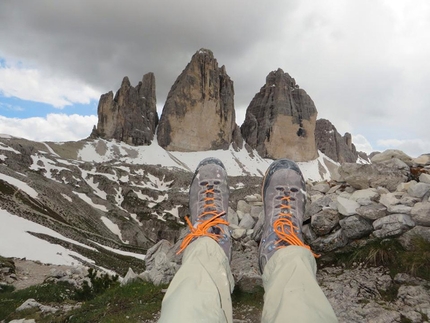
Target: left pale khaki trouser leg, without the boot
(201,289)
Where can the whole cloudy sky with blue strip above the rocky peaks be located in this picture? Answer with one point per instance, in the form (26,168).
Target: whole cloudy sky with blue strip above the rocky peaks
(365,63)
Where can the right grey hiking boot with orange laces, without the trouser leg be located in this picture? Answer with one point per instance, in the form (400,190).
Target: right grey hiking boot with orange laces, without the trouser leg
(284,198)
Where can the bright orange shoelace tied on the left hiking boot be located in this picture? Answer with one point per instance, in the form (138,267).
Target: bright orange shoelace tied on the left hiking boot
(202,228)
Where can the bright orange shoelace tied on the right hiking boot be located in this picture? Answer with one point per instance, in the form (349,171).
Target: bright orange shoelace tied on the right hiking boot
(285,229)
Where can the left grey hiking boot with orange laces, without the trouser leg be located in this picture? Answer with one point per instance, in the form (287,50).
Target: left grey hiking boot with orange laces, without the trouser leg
(208,203)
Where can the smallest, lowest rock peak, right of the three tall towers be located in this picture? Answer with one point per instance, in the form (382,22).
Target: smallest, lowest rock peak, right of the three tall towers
(332,144)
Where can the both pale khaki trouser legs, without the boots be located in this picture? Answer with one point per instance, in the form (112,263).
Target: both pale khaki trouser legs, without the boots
(201,289)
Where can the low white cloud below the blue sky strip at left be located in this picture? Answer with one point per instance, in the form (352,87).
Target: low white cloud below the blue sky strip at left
(54,127)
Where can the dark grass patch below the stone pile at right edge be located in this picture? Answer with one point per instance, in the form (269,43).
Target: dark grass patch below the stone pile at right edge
(390,254)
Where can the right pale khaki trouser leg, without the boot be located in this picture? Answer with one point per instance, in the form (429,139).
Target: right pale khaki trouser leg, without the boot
(292,293)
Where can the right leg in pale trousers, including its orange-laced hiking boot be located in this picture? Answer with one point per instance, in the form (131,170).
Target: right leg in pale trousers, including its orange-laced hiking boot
(292,293)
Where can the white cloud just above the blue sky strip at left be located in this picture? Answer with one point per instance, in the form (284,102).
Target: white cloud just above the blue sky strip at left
(34,85)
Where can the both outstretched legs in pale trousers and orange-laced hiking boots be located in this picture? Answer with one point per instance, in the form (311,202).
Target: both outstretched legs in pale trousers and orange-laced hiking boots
(201,289)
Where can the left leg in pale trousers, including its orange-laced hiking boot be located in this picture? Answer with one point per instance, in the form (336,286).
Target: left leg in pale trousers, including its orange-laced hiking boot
(201,289)
